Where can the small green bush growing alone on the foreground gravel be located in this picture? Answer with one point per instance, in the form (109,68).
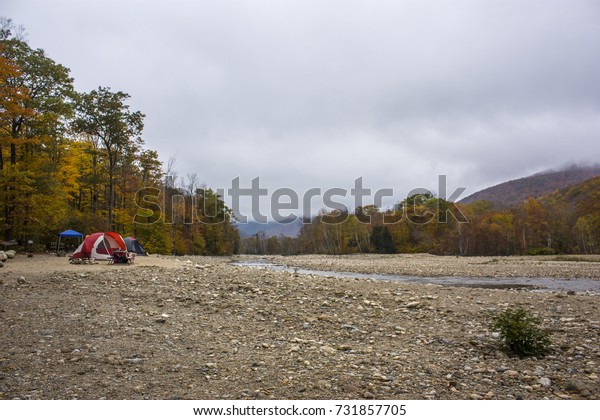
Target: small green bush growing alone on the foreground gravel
(521,333)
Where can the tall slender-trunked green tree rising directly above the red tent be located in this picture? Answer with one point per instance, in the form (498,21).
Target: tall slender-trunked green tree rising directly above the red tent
(103,114)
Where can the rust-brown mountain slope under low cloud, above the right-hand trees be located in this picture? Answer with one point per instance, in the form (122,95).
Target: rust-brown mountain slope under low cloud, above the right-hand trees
(516,191)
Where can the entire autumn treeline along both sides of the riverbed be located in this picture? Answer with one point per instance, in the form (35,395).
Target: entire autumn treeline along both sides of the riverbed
(77,160)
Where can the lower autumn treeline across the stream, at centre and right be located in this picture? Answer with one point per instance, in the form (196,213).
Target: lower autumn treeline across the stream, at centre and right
(566,221)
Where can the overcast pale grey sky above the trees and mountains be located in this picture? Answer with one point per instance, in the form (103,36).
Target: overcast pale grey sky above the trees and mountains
(316,93)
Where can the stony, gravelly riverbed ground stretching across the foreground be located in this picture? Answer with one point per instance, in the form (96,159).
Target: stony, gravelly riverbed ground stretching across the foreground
(200,328)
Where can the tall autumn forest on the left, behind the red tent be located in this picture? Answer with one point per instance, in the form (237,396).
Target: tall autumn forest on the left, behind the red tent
(76,160)
